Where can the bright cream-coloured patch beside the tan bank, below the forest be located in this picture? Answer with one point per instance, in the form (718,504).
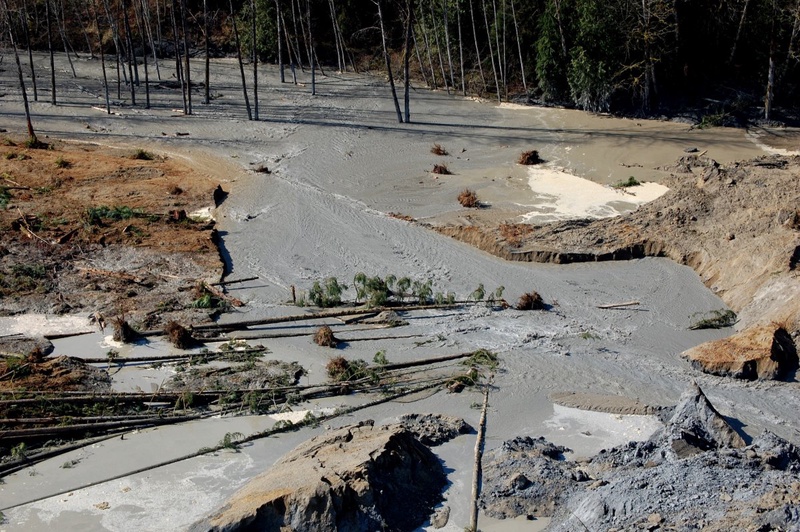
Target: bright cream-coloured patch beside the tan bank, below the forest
(563,196)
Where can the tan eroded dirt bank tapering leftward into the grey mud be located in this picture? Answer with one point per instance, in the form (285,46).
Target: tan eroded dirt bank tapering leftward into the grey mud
(737,226)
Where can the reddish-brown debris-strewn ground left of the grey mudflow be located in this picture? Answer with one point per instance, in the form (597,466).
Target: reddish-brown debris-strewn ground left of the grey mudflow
(96,229)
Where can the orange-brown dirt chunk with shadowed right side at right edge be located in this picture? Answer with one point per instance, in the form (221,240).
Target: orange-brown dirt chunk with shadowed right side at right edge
(758,352)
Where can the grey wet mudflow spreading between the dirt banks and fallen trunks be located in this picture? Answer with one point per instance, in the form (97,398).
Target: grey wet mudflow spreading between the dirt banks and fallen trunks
(338,165)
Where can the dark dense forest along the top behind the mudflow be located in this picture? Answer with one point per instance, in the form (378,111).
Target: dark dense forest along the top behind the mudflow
(728,60)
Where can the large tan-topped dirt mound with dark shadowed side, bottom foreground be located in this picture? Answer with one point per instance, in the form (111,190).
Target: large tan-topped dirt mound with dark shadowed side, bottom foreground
(350,479)
